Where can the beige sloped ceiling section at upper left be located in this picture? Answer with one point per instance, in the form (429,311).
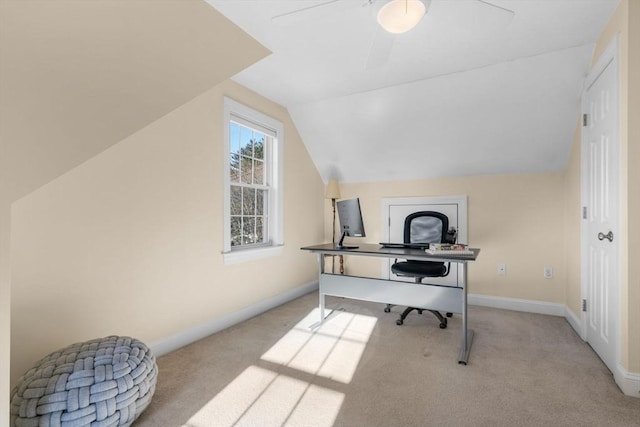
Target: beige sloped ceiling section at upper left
(79,76)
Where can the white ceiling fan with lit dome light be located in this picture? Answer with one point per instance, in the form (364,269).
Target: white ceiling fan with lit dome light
(389,19)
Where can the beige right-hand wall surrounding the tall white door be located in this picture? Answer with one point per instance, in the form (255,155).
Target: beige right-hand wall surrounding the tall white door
(626,24)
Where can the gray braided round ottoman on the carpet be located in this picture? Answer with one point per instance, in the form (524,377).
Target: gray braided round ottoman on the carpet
(104,382)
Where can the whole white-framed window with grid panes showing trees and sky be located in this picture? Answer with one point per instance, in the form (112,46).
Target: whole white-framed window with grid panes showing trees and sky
(253,183)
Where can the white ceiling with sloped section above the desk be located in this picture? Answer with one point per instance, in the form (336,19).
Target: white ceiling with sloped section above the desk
(478,87)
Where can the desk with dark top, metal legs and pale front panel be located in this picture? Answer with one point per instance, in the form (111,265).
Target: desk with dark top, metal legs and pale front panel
(452,299)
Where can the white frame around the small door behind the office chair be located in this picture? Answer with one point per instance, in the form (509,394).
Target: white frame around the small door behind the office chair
(463,226)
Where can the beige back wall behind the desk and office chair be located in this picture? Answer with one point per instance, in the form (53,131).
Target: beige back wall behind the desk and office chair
(514,219)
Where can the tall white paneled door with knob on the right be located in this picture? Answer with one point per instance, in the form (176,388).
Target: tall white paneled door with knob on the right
(601,201)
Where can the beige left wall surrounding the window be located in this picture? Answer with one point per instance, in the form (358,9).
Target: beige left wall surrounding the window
(130,241)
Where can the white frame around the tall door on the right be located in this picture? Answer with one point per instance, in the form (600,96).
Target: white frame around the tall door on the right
(610,56)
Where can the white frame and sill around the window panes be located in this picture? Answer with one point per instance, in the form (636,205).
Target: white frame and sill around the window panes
(275,245)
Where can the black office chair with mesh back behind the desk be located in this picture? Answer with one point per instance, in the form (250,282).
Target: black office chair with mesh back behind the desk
(424,227)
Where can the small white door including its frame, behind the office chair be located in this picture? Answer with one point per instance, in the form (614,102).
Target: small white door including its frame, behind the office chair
(397,209)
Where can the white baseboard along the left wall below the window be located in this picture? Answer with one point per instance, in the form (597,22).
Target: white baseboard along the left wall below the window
(188,336)
